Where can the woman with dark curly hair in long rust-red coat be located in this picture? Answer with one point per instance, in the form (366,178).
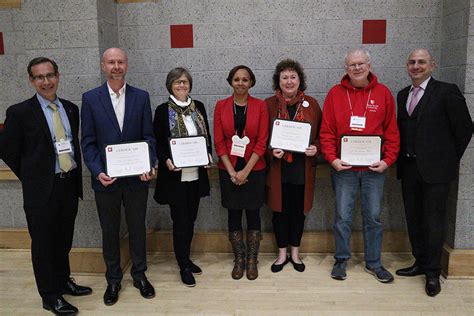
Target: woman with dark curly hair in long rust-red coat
(291,176)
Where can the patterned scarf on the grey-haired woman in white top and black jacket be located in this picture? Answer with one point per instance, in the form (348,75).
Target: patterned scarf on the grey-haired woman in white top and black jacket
(176,121)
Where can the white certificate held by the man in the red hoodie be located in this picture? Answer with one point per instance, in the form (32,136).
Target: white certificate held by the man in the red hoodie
(361,150)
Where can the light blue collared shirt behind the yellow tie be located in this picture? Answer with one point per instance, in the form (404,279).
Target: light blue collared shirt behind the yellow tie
(48,114)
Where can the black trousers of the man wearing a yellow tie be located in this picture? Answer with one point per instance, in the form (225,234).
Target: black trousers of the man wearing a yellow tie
(51,228)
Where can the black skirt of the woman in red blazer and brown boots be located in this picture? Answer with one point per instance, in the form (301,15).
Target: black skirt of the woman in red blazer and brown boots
(249,196)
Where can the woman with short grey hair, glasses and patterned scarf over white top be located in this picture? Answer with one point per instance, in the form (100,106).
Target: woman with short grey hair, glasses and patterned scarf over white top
(181,188)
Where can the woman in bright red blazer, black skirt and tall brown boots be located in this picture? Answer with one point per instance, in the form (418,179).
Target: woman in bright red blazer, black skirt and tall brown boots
(240,138)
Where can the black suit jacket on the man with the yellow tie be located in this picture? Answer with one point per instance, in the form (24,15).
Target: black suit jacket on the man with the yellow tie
(27,148)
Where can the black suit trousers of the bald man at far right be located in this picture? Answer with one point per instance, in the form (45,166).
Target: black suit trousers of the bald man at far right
(425,211)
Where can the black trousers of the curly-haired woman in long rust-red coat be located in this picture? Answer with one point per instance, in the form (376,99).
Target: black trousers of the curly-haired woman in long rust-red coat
(288,224)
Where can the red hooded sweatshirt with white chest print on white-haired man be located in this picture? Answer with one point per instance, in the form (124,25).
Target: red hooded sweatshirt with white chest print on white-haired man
(379,112)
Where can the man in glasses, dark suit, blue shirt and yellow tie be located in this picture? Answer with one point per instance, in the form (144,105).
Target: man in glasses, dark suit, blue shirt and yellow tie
(40,145)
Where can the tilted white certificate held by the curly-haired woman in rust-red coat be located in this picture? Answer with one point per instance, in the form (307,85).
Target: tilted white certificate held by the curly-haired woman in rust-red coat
(289,135)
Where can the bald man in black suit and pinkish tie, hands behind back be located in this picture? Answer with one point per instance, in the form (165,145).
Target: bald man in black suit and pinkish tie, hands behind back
(435,129)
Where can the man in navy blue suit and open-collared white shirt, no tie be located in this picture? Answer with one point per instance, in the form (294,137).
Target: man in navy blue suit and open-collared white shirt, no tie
(115,113)
